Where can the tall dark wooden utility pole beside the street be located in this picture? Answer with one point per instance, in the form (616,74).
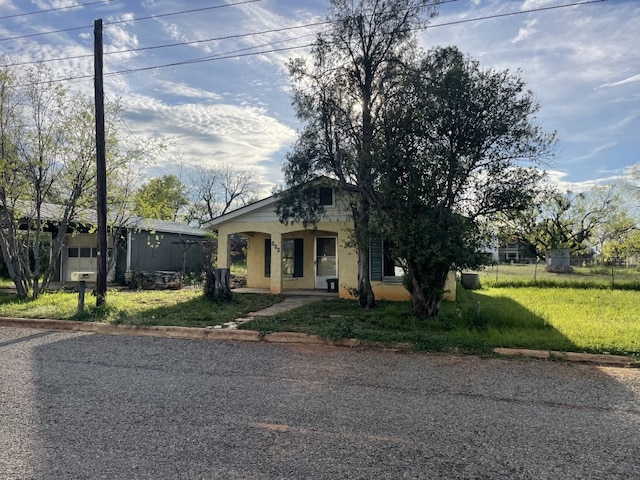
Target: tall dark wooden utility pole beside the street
(101,167)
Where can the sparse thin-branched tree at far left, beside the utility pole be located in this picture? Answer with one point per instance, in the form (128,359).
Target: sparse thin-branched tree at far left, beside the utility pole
(47,158)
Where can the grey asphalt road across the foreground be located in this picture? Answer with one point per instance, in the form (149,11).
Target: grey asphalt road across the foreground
(85,406)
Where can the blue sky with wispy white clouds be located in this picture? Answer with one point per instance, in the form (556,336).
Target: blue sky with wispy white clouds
(220,94)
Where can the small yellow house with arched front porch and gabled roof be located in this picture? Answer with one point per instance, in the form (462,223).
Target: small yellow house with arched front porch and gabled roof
(290,257)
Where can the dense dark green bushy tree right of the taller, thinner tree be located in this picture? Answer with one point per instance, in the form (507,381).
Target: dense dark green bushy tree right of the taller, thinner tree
(456,139)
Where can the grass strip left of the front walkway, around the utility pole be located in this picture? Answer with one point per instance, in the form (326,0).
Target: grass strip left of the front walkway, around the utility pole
(187,307)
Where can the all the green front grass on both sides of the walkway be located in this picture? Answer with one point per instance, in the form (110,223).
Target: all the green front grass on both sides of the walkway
(550,316)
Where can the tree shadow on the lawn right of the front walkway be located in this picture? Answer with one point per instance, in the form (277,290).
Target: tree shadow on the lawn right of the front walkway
(474,323)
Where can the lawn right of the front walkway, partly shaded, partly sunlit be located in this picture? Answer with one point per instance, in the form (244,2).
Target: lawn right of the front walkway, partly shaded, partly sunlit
(566,319)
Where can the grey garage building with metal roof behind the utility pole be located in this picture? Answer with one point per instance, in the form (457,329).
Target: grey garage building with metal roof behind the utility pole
(145,245)
